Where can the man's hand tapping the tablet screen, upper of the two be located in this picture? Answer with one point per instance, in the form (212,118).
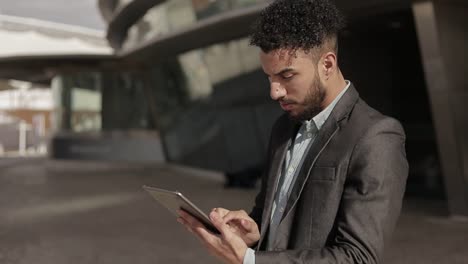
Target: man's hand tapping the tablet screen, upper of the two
(241,224)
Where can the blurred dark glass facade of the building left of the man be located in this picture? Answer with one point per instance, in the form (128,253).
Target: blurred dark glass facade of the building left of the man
(209,106)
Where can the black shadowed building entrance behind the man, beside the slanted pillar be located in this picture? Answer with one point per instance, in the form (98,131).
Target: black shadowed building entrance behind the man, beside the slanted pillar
(381,56)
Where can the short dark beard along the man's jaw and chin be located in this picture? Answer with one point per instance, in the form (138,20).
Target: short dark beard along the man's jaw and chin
(313,102)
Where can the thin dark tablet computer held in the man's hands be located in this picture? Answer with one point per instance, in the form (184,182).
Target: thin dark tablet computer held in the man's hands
(174,200)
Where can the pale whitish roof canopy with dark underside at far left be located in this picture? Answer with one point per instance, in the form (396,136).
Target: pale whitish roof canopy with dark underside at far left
(33,49)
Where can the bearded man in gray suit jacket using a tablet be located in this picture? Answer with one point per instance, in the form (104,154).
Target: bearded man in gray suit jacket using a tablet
(333,188)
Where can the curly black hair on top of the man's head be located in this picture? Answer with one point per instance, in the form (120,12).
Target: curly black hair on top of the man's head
(296,24)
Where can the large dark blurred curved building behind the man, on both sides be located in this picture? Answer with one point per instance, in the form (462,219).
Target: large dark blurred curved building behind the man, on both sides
(182,85)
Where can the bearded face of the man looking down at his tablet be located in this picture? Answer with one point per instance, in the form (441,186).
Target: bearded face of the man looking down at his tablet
(294,82)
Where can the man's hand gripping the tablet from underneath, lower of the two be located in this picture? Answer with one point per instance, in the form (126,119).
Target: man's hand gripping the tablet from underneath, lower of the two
(229,247)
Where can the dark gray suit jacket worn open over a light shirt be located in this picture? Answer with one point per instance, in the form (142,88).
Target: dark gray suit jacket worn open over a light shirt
(347,197)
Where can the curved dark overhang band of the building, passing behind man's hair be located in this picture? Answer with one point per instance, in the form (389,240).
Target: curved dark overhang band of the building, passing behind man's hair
(221,27)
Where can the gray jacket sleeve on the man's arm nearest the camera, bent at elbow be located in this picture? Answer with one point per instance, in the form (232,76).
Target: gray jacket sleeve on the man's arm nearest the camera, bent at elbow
(370,203)
